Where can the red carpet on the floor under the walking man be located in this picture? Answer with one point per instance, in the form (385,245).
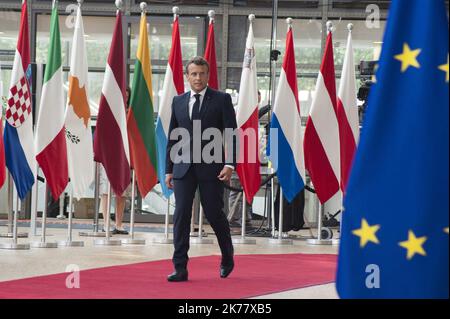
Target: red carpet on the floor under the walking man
(253,275)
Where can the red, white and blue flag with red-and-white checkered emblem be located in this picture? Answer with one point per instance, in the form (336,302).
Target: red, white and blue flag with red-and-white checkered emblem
(18,134)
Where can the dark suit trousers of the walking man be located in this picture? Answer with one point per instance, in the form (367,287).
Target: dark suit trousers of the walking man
(211,198)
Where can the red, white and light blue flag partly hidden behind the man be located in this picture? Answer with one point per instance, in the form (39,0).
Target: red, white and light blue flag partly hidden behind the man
(173,86)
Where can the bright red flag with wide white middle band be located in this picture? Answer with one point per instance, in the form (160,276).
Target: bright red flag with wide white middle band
(321,144)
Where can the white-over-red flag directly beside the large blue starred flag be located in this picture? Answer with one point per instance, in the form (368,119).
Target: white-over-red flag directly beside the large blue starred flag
(347,111)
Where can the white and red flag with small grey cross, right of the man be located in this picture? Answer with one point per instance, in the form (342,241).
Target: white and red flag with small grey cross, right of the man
(247,121)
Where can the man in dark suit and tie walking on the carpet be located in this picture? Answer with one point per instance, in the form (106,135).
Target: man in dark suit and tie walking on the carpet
(188,168)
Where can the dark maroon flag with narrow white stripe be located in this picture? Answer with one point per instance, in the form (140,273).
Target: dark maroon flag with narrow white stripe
(111,146)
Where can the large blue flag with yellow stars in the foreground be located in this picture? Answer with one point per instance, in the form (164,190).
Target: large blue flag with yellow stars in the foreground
(394,241)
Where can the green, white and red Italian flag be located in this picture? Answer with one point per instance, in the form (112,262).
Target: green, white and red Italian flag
(51,149)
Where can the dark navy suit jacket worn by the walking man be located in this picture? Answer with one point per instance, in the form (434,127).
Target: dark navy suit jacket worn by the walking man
(216,112)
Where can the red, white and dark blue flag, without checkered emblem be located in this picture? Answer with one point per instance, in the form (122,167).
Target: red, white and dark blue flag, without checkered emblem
(286,127)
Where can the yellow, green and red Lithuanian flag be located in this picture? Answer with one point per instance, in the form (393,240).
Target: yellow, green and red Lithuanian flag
(140,121)
